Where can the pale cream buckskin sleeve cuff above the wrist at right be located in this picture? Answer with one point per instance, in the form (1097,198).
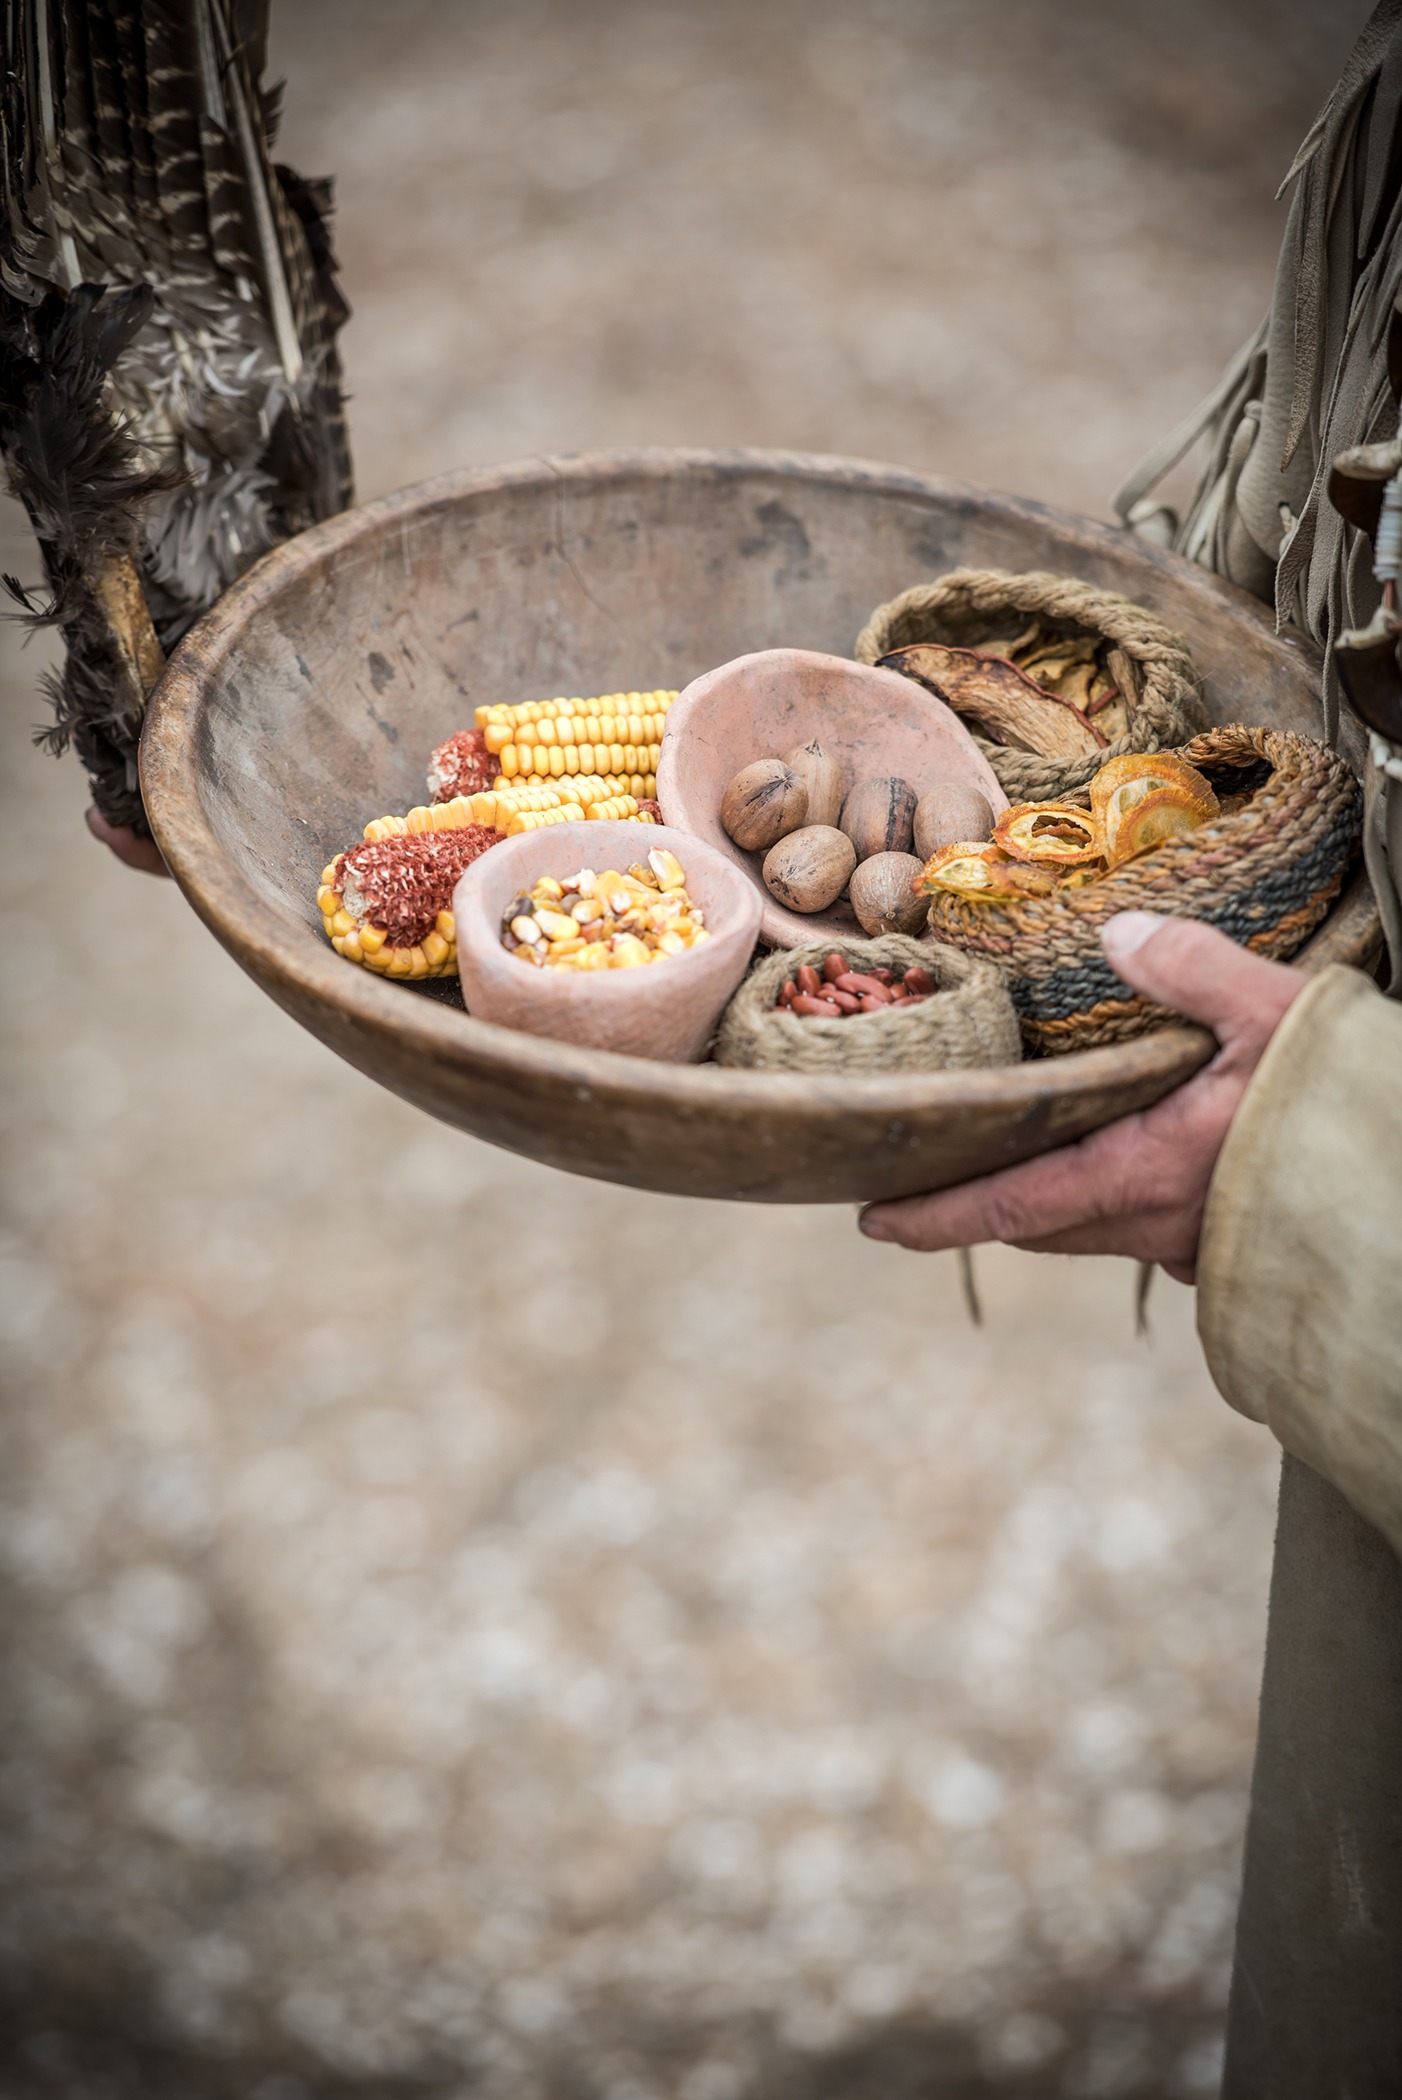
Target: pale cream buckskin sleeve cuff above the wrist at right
(1300,1263)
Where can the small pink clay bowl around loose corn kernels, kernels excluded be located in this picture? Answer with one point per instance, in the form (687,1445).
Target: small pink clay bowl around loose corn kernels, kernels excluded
(660,1011)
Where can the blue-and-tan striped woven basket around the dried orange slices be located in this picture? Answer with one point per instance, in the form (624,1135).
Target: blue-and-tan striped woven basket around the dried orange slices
(1265,877)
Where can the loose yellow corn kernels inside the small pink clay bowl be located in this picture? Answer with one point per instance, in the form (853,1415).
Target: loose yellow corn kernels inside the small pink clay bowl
(606,921)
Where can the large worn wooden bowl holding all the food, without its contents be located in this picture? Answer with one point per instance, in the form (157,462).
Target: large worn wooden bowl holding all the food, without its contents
(314,692)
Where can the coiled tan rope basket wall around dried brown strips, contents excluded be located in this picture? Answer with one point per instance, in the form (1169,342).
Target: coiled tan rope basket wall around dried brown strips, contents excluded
(971,606)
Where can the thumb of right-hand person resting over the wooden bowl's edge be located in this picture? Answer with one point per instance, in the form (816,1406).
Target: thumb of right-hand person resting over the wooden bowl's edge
(1199,973)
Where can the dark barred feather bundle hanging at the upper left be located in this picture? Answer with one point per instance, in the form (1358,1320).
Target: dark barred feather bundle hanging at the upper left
(169,310)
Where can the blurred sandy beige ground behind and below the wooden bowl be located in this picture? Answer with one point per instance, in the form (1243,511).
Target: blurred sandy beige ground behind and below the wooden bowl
(473,1633)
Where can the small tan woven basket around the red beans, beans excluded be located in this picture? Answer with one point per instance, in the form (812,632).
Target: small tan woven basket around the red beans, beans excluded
(969,1020)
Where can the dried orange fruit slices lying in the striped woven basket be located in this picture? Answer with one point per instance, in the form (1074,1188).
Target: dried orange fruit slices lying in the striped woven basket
(1139,801)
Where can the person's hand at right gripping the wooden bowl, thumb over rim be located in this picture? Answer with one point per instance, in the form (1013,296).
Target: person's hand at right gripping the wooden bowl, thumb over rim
(1137,1188)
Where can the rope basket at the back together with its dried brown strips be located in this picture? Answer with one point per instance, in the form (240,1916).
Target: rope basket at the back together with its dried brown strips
(1116,679)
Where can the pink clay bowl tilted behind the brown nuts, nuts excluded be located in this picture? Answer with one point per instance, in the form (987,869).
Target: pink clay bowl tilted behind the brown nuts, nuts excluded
(773,700)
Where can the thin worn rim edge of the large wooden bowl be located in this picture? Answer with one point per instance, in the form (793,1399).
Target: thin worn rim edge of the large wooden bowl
(299,961)
